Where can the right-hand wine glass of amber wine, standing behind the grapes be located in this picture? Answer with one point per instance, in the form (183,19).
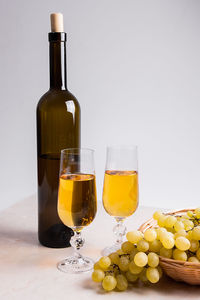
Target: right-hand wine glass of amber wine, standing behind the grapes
(120,191)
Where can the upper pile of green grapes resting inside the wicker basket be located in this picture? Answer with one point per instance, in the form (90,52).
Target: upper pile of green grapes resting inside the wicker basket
(179,235)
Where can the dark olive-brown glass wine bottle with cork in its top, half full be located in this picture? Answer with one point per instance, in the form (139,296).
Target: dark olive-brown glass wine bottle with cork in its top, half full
(58,127)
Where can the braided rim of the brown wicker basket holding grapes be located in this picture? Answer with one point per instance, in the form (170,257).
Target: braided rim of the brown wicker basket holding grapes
(176,263)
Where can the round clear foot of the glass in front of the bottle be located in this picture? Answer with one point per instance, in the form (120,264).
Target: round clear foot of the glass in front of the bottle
(75,265)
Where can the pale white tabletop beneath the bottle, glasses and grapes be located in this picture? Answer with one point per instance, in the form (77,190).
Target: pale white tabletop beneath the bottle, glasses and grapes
(28,270)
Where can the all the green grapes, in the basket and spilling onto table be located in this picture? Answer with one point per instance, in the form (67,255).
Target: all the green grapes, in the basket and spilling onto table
(175,237)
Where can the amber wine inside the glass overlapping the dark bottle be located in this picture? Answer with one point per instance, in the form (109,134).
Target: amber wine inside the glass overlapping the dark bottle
(77,200)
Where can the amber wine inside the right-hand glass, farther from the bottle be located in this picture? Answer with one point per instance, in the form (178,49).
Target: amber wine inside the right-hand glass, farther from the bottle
(120,193)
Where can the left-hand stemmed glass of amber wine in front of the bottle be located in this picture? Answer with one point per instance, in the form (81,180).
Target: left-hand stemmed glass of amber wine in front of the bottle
(77,204)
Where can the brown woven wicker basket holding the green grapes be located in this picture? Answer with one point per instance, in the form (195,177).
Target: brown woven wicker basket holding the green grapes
(188,272)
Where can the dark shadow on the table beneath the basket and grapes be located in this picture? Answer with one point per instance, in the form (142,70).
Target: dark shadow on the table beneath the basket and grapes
(165,288)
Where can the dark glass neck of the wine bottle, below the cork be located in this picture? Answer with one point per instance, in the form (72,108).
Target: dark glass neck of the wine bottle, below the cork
(57,59)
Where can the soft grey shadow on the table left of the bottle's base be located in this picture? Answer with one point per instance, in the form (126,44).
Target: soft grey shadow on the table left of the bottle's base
(12,235)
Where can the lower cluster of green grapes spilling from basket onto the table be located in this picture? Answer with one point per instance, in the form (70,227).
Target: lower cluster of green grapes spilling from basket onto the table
(133,261)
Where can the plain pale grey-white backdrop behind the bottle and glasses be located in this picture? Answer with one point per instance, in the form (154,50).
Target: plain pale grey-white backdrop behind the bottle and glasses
(135,68)
